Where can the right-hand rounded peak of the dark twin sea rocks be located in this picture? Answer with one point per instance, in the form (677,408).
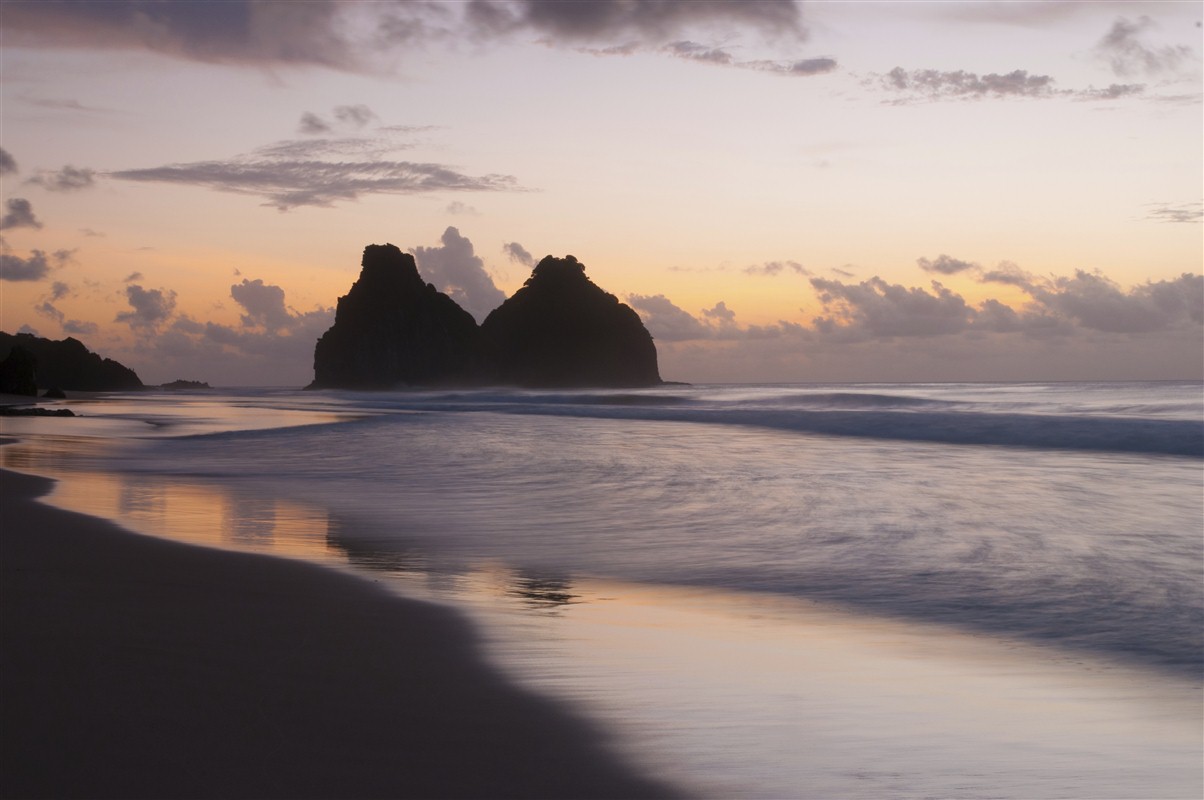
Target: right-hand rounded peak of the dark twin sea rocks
(562,331)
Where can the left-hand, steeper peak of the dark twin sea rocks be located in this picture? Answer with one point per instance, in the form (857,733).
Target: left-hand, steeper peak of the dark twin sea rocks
(394,330)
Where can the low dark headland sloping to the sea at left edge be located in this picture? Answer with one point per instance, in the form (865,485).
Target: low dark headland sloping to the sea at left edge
(69,366)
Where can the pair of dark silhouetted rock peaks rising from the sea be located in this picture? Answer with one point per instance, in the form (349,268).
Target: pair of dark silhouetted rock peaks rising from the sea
(559,331)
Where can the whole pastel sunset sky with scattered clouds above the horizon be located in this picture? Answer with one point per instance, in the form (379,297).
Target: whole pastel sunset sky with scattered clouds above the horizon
(786,192)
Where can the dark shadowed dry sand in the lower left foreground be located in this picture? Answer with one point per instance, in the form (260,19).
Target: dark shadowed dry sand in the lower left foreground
(140,668)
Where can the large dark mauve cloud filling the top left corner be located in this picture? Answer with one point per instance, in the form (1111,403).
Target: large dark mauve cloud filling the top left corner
(233,32)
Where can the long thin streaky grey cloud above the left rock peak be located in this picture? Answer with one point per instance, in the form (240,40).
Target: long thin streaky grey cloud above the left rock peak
(286,184)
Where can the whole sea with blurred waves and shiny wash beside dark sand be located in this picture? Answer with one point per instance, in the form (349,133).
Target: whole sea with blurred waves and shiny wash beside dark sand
(857,591)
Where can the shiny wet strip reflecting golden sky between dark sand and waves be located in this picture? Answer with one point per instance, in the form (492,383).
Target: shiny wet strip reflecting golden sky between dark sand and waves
(735,693)
